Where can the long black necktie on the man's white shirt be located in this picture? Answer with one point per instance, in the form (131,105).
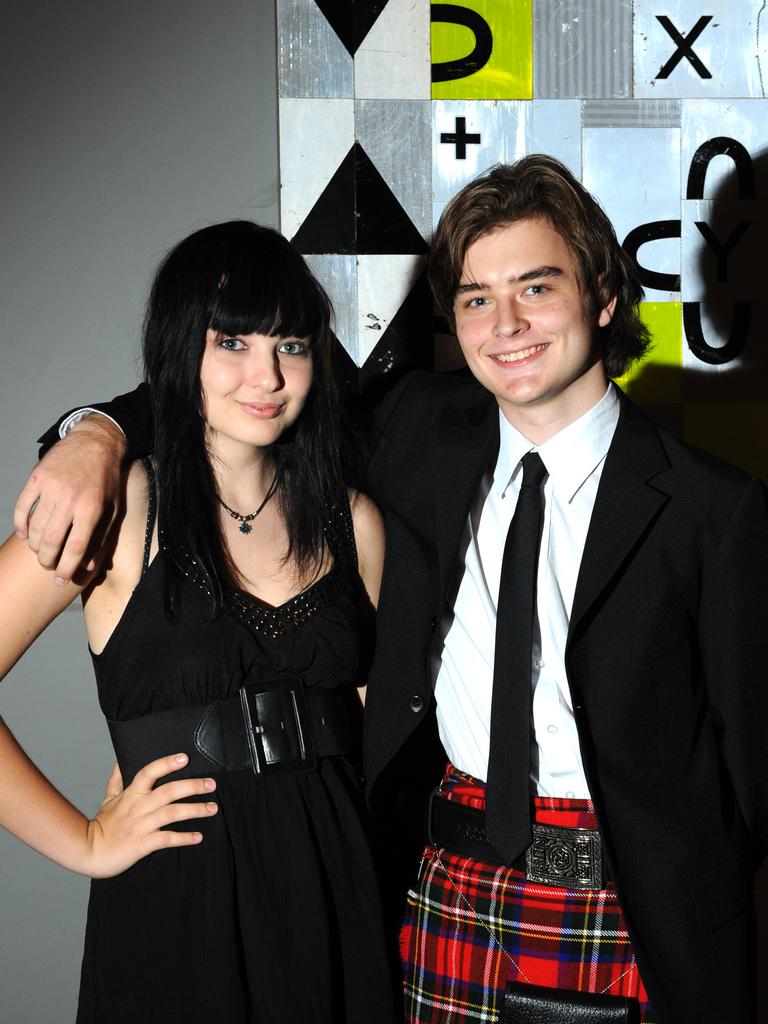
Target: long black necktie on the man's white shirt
(508,791)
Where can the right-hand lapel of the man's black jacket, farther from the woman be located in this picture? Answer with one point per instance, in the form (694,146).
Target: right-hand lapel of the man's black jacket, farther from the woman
(627,502)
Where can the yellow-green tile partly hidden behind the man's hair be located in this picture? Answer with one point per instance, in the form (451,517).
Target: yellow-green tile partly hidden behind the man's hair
(658,378)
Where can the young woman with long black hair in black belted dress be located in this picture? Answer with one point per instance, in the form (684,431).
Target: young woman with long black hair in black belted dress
(229,632)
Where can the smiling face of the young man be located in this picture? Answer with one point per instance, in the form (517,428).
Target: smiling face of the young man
(525,328)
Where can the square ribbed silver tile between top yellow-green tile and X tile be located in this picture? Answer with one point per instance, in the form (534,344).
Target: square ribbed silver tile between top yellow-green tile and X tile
(582,49)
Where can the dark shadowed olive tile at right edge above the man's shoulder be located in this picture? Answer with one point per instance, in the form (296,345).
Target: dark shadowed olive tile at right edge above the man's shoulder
(736,432)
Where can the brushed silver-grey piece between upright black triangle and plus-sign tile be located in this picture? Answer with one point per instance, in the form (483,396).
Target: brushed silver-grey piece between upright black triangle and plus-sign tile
(396,135)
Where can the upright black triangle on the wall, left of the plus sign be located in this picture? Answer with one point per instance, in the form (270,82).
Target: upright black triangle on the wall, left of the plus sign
(358,214)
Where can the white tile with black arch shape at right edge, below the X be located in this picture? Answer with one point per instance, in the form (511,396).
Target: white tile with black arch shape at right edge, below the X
(744,120)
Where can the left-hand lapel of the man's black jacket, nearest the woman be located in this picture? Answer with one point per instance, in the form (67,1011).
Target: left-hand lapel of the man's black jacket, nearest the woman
(467,441)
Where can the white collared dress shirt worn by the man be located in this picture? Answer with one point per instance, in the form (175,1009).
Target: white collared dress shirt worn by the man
(574,459)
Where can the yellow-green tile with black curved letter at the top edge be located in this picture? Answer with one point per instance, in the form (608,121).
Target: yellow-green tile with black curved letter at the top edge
(509,72)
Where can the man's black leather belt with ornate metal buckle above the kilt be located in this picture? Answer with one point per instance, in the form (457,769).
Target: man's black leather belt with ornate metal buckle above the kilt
(569,859)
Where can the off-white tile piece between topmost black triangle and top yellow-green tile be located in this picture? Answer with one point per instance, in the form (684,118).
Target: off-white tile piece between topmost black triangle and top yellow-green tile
(393,62)
